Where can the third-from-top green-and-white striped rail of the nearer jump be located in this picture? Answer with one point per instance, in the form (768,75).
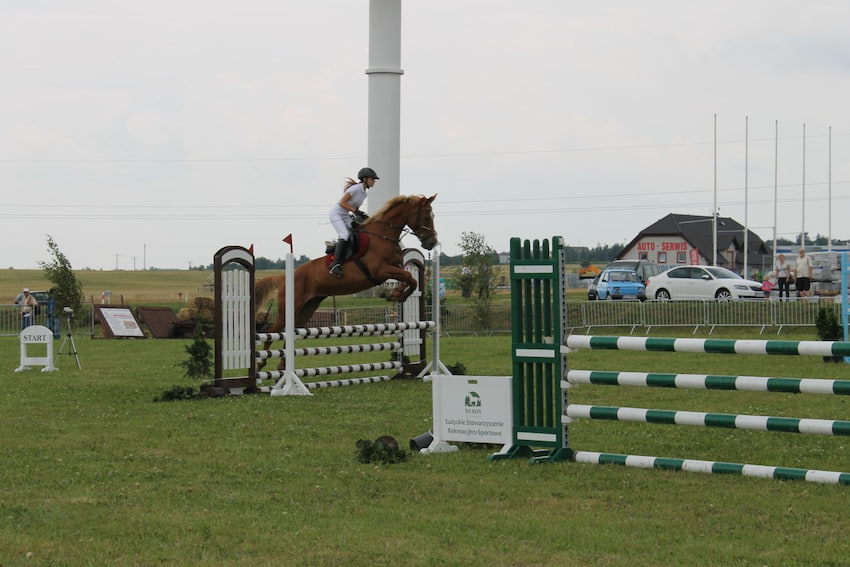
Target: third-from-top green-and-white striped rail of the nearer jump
(730,421)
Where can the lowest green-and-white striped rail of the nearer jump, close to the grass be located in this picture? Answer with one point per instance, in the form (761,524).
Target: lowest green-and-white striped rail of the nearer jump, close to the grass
(712,467)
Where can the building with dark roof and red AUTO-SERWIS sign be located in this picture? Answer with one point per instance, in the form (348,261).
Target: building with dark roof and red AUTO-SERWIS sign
(687,239)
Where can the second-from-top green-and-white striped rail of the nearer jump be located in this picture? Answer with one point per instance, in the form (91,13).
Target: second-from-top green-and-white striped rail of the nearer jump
(709,382)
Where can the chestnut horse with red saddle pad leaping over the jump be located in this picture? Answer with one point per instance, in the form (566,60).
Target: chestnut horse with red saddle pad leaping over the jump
(381,261)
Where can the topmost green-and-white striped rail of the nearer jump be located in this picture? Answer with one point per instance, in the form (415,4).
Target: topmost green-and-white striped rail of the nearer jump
(722,346)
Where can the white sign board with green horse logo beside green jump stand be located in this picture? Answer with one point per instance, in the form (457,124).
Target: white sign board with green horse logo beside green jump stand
(473,409)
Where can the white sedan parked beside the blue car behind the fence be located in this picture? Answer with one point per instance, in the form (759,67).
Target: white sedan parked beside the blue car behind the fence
(701,282)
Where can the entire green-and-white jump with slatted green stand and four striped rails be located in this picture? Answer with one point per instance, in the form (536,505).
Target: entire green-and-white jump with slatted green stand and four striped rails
(542,412)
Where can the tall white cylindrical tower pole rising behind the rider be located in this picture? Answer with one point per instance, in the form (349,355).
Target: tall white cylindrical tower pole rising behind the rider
(384,99)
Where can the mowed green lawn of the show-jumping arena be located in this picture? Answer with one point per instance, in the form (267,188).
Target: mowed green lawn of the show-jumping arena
(95,473)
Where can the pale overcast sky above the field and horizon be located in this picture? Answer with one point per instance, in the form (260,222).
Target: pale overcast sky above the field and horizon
(150,134)
